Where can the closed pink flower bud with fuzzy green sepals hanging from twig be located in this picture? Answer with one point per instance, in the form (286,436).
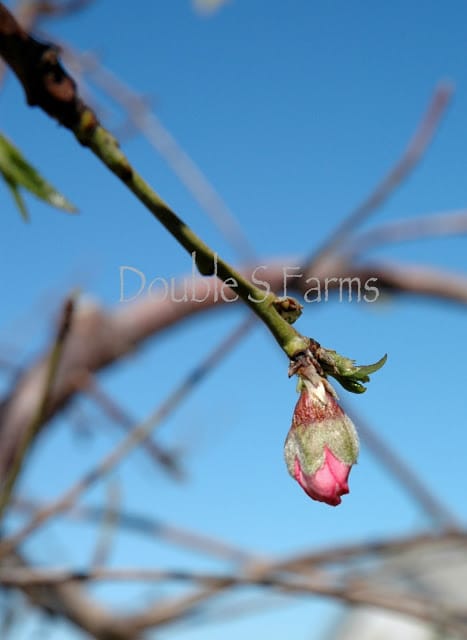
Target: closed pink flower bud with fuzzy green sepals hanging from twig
(322,444)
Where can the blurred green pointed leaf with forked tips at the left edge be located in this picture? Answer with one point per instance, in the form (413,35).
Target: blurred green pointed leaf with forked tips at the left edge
(17,173)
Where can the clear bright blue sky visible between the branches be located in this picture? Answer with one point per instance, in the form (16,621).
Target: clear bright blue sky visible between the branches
(293,111)
